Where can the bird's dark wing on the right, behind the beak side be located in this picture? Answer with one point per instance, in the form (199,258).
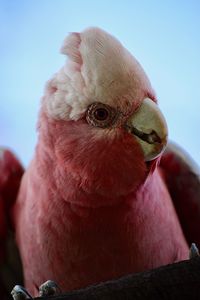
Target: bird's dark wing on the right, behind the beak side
(182,176)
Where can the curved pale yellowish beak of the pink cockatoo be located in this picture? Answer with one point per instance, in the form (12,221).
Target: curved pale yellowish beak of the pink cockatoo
(149,127)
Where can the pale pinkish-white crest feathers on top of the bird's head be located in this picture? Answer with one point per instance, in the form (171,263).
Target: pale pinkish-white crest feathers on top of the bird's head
(98,69)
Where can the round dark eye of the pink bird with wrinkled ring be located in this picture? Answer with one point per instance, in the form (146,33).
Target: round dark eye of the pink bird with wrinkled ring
(101,115)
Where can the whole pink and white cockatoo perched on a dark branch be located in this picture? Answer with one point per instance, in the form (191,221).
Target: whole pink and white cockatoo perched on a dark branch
(105,194)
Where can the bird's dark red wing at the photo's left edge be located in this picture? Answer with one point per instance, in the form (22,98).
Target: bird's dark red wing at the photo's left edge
(11,172)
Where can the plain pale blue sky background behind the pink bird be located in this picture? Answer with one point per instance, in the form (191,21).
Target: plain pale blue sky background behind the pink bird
(163,35)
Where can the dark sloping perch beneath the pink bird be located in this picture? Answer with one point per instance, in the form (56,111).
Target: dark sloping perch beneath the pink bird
(176,281)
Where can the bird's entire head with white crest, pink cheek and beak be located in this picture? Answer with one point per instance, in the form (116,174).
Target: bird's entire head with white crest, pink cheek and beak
(100,116)
